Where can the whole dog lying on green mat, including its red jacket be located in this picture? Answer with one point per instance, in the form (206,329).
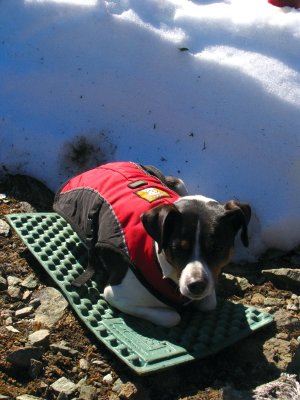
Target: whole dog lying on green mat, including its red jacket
(190,238)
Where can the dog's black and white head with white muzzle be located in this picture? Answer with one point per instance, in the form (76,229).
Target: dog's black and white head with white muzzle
(196,235)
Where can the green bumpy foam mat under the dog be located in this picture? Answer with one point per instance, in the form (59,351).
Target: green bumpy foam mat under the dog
(143,346)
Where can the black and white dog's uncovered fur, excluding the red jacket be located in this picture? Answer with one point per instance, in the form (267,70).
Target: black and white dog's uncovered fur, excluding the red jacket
(193,239)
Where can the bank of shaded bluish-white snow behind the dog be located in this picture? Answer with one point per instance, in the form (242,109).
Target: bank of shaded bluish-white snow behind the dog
(206,90)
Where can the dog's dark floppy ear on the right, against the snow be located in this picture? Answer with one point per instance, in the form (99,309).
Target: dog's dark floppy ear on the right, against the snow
(240,214)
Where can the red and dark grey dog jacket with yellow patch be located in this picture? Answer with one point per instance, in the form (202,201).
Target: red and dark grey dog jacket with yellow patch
(104,206)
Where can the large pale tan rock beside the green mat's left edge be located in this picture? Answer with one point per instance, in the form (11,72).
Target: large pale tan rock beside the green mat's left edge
(52,307)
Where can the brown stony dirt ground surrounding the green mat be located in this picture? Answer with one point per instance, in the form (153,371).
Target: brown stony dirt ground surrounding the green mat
(237,370)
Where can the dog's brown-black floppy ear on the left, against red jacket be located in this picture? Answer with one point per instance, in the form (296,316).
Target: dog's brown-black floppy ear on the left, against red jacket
(159,222)
